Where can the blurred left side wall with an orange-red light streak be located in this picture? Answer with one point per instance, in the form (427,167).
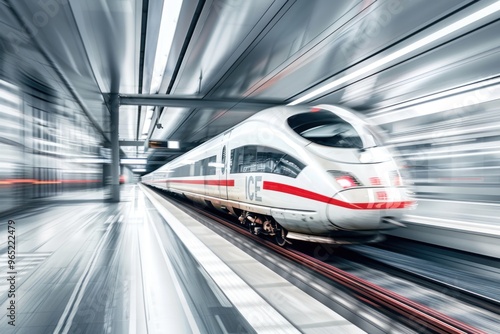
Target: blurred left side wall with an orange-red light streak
(48,148)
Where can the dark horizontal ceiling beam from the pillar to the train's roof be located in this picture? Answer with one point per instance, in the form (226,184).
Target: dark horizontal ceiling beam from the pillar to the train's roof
(166,100)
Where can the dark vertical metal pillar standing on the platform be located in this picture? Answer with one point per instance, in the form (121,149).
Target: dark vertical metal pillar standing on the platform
(114,104)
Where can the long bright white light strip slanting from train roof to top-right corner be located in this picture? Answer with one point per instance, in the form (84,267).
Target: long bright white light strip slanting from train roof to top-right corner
(462,23)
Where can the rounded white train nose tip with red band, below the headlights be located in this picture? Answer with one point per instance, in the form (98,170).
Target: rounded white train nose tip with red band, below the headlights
(368,208)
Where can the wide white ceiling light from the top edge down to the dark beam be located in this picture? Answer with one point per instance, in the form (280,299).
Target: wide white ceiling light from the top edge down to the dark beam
(169,17)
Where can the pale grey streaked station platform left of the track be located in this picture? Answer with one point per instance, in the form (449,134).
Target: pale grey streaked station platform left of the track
(143,266)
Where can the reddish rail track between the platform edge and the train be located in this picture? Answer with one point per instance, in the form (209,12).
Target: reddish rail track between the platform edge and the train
(414,315)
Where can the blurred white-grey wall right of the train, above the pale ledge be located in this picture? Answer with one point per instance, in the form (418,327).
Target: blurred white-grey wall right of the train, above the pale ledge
(451,144)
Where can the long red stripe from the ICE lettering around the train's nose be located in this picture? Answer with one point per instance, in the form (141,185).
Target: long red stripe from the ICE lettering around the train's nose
(287,189)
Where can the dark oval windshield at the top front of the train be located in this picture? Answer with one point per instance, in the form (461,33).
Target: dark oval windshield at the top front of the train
(328,129)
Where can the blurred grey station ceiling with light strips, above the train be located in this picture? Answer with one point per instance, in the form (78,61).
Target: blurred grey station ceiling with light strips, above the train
(369,55)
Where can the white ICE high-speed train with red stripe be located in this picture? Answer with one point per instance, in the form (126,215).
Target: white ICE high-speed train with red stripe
(318,174)
